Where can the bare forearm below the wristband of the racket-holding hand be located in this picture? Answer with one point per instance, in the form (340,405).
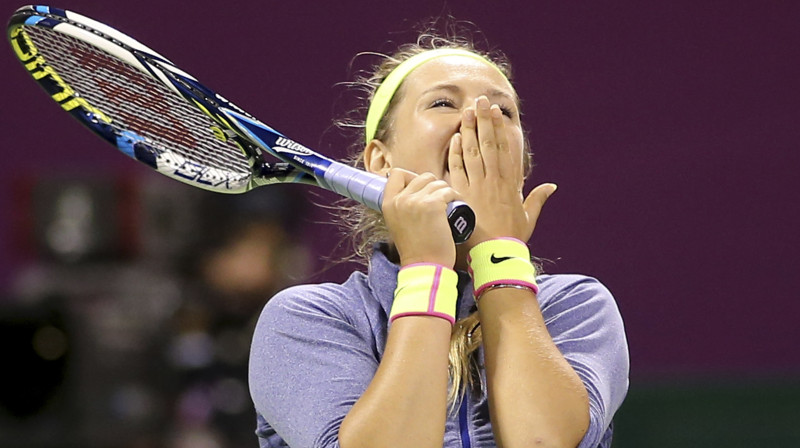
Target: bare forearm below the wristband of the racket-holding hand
(406,402)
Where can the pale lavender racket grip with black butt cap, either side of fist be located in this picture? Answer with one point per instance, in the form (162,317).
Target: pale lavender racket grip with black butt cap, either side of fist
(367,188)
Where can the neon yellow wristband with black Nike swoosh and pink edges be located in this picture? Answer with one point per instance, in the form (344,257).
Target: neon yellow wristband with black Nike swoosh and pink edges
(501,262)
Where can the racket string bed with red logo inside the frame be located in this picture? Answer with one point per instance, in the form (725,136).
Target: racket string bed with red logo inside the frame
(135,102)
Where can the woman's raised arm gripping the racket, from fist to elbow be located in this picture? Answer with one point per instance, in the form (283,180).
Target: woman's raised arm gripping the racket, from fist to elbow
(406,402)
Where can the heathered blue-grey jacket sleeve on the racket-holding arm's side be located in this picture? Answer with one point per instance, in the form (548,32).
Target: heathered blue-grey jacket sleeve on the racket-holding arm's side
(312,357)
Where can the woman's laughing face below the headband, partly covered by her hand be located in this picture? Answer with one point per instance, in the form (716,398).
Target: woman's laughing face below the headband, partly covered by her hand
(430,110)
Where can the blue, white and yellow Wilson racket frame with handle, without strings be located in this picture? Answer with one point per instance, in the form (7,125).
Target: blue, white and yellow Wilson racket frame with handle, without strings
(299,164)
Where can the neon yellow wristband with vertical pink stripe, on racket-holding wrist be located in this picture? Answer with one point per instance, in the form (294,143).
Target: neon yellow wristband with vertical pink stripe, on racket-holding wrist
(425,289)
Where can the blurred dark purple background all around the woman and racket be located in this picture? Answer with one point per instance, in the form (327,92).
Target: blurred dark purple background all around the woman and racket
(670,127)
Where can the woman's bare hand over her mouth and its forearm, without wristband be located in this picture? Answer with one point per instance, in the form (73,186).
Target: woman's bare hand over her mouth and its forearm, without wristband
(535,397)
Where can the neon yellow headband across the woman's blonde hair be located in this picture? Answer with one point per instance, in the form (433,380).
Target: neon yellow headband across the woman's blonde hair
(385,92)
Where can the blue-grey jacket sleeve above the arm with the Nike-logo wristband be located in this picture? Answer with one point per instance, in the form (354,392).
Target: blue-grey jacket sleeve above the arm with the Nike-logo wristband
(584,321)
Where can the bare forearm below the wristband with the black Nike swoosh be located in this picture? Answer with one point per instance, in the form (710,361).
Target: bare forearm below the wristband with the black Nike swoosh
(535,397)
